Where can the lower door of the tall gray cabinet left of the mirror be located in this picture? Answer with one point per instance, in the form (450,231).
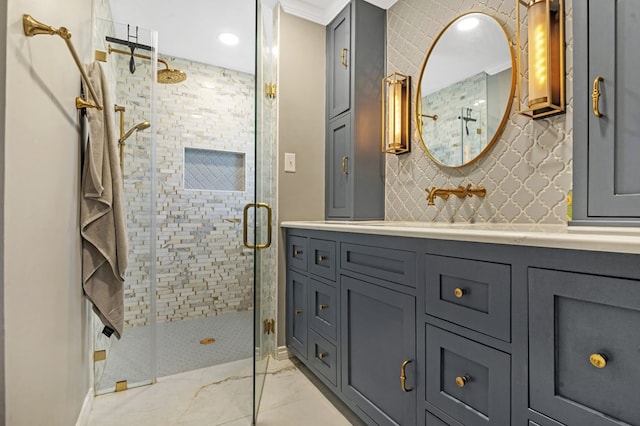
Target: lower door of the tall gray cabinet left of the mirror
(339,166)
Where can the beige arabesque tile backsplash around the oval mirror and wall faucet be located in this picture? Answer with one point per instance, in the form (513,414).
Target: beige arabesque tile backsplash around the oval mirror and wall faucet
(528,171)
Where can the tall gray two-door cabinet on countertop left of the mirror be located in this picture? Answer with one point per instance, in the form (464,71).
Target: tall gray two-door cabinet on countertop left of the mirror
(354,175)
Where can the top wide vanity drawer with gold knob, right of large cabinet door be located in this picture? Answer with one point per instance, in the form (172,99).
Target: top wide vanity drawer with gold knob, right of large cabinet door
(474,294)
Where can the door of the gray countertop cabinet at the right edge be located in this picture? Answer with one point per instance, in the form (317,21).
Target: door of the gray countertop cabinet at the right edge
(614,148)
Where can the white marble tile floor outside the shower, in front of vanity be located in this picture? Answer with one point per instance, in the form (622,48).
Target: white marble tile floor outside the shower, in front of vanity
(221,395)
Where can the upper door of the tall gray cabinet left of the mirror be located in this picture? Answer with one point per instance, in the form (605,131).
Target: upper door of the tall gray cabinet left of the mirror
(339,63)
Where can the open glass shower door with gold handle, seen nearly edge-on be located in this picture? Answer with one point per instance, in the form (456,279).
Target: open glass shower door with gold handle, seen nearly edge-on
(266,174)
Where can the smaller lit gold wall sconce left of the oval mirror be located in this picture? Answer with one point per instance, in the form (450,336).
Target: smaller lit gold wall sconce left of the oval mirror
(395,114)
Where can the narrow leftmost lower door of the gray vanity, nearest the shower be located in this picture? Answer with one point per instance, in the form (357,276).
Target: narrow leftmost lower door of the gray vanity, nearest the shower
(297,311)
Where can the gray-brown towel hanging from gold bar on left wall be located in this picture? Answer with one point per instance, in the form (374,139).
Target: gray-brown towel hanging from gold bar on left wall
(102,217)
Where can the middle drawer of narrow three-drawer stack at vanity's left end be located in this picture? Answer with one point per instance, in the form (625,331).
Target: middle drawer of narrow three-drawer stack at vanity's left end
(323,309)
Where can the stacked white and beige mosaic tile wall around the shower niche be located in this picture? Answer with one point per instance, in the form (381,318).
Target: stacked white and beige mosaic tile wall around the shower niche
(202,267)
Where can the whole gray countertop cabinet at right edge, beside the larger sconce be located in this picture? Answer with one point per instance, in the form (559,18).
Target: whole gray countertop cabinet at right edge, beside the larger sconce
(606,148)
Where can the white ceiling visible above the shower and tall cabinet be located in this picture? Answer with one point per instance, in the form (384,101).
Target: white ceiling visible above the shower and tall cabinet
(189,29)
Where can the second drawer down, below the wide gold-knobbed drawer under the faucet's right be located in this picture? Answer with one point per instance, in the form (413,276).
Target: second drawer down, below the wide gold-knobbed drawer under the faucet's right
(468,381)
